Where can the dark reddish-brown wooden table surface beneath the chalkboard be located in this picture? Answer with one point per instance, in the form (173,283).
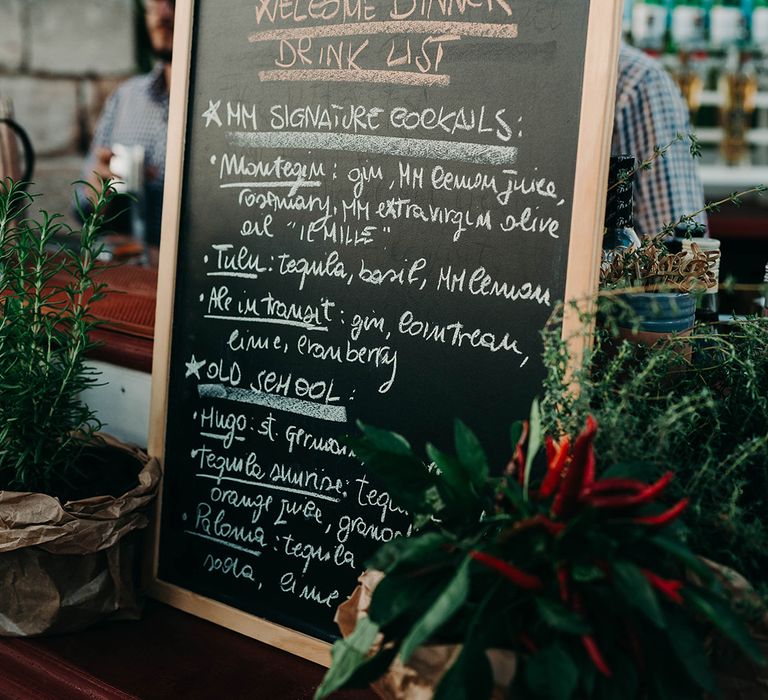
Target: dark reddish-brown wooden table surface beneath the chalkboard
(166,655)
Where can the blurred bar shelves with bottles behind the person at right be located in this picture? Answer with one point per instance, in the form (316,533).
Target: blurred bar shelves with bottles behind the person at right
(717,52)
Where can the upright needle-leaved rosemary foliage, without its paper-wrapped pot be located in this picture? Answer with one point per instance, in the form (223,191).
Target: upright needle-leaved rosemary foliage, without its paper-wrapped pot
(44,329)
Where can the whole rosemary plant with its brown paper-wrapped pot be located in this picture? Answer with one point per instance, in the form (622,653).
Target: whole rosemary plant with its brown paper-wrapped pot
(72,501)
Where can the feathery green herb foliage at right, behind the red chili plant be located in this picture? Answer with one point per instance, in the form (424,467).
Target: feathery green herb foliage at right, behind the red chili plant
(697,406)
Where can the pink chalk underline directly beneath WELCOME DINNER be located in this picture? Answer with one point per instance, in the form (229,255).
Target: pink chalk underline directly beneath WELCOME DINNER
(475,29)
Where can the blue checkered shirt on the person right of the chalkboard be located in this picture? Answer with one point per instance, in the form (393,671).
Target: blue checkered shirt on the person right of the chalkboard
(650,111)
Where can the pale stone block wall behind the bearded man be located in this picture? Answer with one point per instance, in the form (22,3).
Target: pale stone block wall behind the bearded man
(59,59)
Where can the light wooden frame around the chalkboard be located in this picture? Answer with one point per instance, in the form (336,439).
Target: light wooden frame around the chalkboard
(596,100)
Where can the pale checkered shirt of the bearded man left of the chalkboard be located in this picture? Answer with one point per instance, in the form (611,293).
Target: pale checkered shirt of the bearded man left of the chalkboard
(136,114)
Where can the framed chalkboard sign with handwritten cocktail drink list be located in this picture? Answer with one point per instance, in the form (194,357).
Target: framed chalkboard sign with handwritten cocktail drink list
(371,208)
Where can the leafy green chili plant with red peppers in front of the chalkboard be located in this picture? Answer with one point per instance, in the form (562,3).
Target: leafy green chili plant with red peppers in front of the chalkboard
(587,580)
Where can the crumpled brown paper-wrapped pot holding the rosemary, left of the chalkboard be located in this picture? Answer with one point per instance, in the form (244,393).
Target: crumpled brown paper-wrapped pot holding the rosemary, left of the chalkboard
(64,567)
